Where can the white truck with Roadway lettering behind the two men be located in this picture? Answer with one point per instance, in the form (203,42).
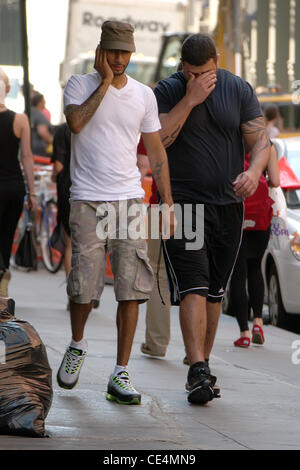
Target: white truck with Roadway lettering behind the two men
(150,18)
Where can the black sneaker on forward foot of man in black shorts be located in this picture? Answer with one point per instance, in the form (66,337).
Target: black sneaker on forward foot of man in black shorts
(200,384)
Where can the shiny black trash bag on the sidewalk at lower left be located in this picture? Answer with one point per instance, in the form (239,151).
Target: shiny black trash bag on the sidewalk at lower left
(25,376)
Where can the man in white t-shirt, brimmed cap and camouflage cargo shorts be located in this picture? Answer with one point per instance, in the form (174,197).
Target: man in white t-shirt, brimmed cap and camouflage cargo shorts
(106,111)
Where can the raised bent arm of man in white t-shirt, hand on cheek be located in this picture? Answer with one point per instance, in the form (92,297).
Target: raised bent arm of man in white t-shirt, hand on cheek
(78,116)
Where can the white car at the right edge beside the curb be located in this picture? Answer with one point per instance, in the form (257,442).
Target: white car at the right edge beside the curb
(281,262)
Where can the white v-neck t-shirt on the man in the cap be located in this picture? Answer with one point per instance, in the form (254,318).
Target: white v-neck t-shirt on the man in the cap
(104,154)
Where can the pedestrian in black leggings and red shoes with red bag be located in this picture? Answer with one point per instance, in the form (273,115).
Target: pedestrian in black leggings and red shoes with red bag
(247,274)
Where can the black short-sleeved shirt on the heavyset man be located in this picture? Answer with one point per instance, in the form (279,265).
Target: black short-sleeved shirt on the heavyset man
(208,154)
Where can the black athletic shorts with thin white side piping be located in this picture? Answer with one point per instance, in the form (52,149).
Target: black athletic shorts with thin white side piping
(204,271)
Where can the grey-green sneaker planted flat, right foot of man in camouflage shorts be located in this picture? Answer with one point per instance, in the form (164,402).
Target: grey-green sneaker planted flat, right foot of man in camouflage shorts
(121,390)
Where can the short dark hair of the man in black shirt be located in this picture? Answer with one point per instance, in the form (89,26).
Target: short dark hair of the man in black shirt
(198,49)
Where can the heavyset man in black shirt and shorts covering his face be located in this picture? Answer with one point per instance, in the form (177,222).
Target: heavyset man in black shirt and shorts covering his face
(207,114)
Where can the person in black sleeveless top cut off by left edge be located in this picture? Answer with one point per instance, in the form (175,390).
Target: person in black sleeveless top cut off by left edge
(14,135)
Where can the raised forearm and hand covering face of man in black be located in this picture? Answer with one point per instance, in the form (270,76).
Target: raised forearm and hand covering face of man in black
(198,88)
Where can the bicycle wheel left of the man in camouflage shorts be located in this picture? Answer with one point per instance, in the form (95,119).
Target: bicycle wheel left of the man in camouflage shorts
(52,258)
